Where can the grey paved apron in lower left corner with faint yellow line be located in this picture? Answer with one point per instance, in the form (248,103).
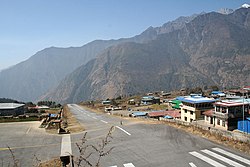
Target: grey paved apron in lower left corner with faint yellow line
(27,140)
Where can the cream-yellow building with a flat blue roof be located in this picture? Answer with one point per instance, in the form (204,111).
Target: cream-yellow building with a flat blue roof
(193,106)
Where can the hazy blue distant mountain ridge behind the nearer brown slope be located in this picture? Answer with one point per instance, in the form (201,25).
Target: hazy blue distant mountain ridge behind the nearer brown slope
(28,80)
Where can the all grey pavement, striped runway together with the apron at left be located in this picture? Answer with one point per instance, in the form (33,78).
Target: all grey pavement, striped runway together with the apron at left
(136,144)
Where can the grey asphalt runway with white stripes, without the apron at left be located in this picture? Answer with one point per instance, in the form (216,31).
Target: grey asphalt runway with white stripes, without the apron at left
(151,145)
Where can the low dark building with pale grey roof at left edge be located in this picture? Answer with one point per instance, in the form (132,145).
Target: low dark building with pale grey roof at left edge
(11,109)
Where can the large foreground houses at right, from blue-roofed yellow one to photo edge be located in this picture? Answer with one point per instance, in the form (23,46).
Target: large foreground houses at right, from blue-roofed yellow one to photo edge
(227,111)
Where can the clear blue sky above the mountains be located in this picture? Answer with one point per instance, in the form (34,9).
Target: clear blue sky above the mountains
(28,26)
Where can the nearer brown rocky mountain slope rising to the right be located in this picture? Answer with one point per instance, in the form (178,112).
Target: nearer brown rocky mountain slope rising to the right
(211,49)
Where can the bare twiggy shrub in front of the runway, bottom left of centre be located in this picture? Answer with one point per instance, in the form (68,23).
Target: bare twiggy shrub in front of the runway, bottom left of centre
(87,151)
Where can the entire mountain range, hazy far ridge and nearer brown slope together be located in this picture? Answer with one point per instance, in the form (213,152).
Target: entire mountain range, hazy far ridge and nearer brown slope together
(201,50)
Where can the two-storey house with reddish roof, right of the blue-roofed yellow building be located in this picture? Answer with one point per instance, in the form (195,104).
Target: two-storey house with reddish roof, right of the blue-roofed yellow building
(227,113)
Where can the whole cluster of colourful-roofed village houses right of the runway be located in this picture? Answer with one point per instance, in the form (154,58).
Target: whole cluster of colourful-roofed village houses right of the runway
(223,110)
